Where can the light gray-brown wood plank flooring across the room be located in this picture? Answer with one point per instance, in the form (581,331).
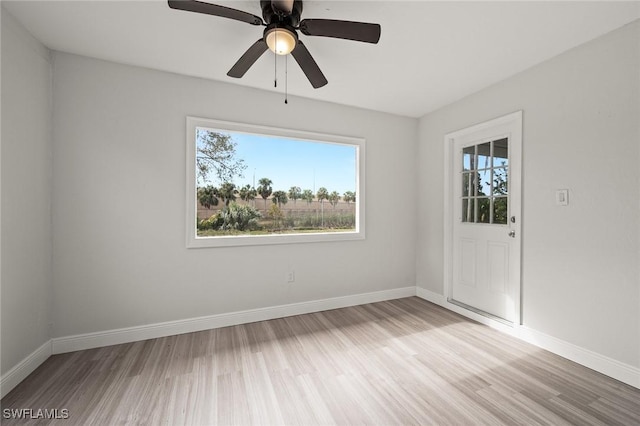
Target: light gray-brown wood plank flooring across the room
(405,361)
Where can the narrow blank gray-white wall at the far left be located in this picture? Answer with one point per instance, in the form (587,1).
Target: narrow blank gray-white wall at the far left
(26,194)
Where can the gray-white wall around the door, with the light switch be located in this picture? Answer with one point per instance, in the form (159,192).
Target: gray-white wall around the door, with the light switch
(580,273)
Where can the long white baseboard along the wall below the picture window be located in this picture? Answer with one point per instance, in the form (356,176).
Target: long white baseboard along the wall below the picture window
(170,328)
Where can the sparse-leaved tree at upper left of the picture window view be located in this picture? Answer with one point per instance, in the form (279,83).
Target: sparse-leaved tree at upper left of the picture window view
(216,153)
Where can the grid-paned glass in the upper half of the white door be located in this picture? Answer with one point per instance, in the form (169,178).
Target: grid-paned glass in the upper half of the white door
(485,182)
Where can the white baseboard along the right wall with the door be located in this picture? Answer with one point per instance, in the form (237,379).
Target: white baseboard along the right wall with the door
(608,366)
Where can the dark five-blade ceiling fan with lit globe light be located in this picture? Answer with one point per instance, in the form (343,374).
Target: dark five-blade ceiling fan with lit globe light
(282,20)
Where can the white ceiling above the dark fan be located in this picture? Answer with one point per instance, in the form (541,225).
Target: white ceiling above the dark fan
(430,53)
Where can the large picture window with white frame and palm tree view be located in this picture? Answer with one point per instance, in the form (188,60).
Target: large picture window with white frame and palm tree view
(250,185)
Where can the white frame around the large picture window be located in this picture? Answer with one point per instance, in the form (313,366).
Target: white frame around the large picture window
(193,241)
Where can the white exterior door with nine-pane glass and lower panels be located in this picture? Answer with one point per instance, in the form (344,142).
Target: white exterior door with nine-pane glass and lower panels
(485,205)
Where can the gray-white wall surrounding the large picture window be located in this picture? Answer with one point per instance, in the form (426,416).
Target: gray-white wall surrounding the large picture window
(119,153)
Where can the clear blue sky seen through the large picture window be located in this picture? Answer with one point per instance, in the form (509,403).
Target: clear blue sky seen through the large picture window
(296,163)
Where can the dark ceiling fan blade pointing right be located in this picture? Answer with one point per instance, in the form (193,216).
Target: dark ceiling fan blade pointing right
(358,31)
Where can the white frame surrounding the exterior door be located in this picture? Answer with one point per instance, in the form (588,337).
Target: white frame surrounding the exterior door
(514,118)
